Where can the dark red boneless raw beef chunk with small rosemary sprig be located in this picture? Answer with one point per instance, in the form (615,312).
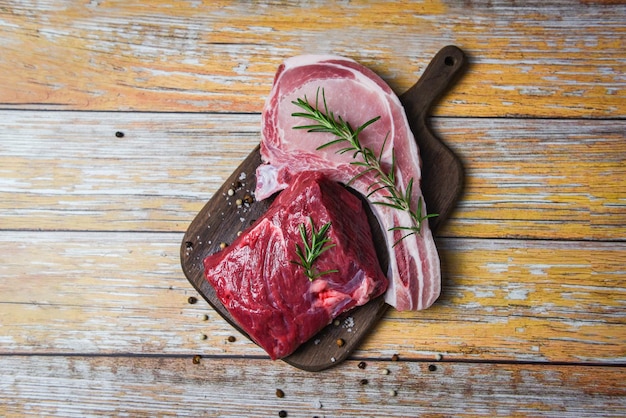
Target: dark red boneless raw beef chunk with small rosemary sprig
(269,296)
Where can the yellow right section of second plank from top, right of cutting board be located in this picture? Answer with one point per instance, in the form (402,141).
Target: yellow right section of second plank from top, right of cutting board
(542,179)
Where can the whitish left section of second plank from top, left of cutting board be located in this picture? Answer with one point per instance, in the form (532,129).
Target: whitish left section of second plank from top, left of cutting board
(69,170)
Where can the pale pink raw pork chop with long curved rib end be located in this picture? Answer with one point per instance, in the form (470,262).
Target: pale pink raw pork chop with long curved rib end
(357,95)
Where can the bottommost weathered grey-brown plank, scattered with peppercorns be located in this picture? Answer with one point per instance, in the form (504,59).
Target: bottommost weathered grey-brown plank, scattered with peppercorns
(145,386)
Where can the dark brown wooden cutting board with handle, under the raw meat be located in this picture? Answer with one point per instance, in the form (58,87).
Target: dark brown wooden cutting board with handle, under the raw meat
(221,219)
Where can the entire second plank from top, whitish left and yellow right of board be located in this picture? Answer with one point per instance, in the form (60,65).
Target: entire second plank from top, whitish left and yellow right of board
(556,179)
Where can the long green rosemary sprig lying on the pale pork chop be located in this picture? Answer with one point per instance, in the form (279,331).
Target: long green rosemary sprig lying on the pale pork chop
(385,180)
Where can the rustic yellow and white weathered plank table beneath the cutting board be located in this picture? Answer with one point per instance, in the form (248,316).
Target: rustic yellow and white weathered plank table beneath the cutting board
(119,120)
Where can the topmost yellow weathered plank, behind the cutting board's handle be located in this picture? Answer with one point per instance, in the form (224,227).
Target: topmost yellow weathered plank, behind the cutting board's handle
(548,59)
